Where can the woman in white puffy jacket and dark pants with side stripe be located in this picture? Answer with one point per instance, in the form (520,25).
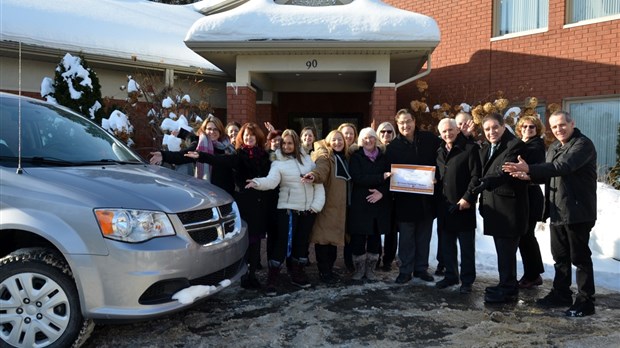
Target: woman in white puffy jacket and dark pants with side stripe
(298,202)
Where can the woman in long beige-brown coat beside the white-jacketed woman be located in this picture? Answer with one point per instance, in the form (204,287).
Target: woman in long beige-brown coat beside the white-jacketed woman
(332,170)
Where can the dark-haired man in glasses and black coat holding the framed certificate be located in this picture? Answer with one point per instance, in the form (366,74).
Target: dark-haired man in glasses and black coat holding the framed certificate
(414,212)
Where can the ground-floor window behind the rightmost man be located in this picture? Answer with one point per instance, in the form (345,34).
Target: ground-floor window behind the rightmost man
(598,119)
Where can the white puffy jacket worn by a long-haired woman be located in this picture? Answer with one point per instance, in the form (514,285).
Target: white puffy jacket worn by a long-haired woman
(295,195)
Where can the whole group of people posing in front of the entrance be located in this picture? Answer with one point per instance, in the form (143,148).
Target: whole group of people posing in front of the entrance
(295,190)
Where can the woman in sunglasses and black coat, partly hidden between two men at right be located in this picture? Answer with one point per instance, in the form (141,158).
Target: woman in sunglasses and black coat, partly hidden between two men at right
(530,129)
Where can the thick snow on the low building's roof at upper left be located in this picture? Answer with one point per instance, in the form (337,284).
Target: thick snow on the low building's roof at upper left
(150,31)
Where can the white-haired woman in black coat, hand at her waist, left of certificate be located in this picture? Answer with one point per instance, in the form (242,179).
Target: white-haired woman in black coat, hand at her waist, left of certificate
(370,207)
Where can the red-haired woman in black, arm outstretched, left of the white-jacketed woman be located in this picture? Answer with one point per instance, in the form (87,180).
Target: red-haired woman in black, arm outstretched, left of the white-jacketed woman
(251,160)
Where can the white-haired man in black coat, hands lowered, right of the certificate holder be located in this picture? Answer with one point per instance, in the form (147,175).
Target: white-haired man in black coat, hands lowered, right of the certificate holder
(458,169)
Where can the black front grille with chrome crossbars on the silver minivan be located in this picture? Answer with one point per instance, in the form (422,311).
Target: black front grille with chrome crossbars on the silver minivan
(208,226)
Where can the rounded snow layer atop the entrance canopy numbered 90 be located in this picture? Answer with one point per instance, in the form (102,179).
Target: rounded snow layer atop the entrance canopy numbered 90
(360,20)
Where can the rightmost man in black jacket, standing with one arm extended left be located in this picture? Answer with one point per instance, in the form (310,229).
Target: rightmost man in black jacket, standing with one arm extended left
(570,203)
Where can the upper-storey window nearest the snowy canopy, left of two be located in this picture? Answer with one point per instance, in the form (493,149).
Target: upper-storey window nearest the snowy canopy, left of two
(514,16)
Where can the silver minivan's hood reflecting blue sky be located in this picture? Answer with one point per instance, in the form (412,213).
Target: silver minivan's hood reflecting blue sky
(130,186)
